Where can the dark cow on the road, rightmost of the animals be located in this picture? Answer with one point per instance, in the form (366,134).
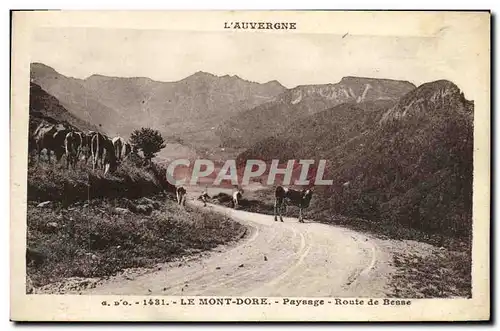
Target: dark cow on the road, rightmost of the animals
(283,195)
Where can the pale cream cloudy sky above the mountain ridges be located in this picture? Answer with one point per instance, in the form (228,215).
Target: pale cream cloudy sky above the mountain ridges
(291,59)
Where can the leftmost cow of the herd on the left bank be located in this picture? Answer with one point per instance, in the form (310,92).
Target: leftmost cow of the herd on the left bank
(51,138)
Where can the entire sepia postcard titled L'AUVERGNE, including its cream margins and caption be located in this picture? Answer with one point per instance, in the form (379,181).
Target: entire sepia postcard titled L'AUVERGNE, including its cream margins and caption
(250,161)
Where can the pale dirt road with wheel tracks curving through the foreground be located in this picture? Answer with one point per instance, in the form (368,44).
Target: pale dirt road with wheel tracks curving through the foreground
(274,259)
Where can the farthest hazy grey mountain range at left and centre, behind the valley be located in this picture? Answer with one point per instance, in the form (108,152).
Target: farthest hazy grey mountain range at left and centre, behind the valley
(189,108)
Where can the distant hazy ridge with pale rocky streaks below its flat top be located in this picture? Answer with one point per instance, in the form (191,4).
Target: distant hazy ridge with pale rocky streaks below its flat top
(273,117)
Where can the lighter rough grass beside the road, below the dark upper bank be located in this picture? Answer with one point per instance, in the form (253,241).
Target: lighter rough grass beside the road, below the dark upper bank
(93,240)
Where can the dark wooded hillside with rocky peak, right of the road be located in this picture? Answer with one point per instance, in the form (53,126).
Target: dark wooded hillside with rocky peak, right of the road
(409,165)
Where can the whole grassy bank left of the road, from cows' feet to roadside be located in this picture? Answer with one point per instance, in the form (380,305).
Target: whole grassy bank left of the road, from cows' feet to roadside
(80,233)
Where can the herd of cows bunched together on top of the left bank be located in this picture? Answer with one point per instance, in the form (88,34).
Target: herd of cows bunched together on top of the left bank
(104,152)
